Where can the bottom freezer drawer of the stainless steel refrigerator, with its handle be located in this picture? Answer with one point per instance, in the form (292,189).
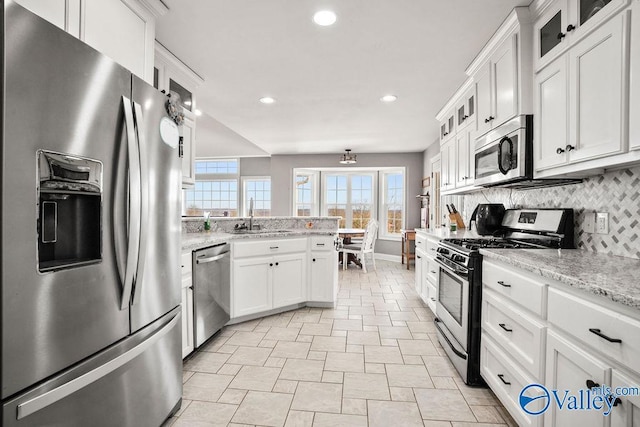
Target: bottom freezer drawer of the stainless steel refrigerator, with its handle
(137,383)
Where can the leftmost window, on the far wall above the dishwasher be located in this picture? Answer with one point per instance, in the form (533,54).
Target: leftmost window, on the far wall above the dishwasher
(215,190)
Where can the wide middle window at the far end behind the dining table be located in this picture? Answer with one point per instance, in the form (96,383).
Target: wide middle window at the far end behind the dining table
(351,196)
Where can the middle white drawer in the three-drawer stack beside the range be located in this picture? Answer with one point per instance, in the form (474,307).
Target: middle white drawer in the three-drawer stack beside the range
(520,334)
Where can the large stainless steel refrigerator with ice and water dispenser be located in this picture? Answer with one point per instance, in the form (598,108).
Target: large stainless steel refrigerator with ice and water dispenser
(90,229)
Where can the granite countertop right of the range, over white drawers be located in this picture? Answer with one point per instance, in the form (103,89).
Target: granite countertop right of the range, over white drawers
(615,278)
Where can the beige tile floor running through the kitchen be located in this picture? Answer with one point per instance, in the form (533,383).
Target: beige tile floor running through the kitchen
(374,360)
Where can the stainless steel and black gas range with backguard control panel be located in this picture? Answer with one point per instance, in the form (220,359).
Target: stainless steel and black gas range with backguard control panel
(460,282)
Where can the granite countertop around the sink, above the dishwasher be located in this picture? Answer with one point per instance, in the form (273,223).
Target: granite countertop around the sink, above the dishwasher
(195,241)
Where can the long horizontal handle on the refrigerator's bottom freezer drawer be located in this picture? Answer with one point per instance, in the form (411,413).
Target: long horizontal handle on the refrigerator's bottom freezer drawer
(49,398)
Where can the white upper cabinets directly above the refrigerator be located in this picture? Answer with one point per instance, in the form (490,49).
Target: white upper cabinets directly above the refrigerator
(124,30)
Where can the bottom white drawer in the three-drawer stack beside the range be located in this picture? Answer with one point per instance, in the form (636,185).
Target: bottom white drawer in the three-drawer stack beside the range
(506,381)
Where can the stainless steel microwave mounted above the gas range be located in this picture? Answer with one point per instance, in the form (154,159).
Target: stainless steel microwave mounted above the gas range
(504,157)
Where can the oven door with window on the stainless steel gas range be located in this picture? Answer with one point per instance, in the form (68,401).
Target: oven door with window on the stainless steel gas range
(452,307)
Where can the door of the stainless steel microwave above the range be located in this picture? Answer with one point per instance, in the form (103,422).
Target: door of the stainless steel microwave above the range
(502,160)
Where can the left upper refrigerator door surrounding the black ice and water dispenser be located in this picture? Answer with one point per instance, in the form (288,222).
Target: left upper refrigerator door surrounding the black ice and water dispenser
(60,96)
